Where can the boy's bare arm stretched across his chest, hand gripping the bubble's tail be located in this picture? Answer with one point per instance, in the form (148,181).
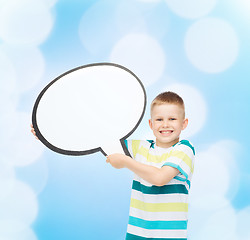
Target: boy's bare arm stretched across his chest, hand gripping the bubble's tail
(153,175)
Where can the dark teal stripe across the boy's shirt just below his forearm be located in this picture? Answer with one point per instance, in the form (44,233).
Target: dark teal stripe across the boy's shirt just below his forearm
(166,189)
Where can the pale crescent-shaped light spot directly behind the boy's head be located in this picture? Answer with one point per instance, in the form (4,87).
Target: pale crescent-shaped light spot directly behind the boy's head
(195,107)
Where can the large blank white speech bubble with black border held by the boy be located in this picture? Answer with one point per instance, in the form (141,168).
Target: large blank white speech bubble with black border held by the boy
(90,108)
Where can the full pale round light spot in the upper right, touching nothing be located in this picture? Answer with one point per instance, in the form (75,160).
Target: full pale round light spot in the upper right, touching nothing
(211,45)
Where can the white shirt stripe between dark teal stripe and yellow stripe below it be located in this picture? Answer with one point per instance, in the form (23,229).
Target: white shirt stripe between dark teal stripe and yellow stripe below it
(158,198)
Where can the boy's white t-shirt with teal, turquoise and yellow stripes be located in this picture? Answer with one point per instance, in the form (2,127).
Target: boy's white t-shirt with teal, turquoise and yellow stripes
(160,213)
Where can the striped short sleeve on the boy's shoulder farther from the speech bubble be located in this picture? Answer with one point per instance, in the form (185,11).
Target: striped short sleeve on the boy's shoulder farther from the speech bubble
(182,157)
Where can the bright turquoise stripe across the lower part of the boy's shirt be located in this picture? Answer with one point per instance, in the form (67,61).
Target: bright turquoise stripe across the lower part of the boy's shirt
(161,225)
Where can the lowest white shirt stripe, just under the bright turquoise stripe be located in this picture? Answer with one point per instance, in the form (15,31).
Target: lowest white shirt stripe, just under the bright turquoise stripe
(156,233)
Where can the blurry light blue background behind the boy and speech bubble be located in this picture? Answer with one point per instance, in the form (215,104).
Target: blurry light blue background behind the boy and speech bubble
(83,197)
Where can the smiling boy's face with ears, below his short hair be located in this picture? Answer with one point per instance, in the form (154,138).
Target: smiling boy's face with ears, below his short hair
(167,121)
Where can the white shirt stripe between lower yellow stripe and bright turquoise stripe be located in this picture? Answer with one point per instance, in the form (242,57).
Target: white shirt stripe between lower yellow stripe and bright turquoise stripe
(158,216)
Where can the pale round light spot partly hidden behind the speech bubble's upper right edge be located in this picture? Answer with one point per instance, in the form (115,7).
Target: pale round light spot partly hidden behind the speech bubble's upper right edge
(141,54)
